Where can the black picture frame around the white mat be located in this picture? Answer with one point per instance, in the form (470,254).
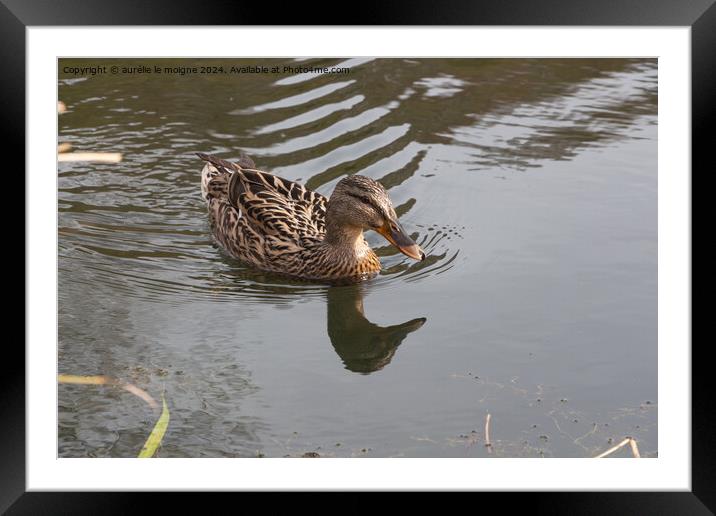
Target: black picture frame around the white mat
(700,15)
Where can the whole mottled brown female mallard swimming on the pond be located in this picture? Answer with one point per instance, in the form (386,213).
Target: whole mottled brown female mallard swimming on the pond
(281,226)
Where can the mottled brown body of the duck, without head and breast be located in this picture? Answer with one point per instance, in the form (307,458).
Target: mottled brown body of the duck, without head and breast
(261,218)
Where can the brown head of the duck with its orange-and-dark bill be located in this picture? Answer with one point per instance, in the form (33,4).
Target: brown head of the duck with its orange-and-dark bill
(361,202)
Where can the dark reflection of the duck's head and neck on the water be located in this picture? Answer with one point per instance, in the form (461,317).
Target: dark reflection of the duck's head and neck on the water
(364,347)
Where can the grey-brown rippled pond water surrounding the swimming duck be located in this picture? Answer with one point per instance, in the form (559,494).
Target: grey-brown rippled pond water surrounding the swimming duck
(531,185)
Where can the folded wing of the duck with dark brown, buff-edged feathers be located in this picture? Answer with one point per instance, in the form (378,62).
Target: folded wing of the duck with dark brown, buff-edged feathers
(273,205)
